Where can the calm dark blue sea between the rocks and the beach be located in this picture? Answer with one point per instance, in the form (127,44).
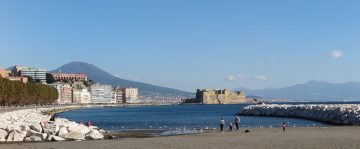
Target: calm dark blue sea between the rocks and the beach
(175,117)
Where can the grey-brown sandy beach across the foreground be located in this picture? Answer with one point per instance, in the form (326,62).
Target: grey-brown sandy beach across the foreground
(271,138)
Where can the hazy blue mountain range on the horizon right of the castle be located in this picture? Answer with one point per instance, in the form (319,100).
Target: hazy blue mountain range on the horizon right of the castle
(311,91)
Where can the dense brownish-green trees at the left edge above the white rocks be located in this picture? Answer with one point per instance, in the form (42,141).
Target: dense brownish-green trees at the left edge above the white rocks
(18,93)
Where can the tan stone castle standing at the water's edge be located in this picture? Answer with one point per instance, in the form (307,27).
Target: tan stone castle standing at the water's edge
(220,96)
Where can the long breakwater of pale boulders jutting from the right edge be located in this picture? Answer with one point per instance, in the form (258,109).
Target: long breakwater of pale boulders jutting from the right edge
(339,114)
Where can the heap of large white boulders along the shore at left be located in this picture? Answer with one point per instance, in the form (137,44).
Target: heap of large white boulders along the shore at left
(35,125)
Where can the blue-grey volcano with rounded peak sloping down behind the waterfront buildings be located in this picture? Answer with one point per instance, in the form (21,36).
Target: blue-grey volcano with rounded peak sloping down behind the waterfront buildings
(97,75)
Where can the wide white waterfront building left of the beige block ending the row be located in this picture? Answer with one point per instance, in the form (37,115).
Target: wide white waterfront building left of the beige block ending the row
(102,93)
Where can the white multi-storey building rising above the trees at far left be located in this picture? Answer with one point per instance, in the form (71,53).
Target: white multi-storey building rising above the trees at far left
(34,73)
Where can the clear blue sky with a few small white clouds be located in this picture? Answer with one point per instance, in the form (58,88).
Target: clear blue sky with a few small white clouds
(189,44)
